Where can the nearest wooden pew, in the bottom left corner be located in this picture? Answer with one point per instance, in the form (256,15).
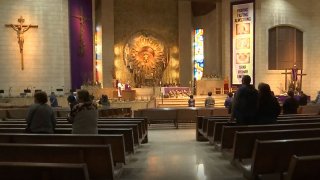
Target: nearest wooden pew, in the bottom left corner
(43,171)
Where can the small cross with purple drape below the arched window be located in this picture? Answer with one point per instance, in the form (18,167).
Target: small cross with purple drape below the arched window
(295,82)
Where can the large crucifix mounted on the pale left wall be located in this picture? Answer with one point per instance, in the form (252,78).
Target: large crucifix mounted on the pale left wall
(21,29)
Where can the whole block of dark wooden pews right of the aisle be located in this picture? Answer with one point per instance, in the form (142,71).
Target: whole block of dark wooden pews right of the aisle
(288,149)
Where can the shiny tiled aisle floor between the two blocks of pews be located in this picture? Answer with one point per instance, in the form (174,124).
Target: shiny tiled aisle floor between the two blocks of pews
(175,154)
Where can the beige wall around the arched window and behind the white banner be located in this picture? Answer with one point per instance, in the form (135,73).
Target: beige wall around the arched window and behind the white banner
(269,13)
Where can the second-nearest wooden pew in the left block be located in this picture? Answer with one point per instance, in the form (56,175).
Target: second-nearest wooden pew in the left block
(97,157)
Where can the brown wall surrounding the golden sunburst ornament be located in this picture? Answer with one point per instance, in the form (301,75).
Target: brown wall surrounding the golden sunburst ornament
(158,17)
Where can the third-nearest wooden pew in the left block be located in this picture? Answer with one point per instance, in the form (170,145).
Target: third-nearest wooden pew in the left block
(116,141)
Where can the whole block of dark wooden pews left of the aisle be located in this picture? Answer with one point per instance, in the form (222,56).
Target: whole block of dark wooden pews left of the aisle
(70,156)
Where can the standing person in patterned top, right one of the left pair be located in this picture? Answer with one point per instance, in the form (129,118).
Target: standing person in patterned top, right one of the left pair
(84,115)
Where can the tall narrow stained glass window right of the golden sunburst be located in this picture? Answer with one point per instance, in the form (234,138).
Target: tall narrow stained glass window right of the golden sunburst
(198,54)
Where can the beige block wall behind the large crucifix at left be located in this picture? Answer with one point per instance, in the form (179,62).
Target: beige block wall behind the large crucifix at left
(46,49)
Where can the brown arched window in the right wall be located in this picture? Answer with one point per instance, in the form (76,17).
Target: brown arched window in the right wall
(285,48)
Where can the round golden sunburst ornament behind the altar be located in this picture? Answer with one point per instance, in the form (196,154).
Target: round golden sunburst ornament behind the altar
(146,56)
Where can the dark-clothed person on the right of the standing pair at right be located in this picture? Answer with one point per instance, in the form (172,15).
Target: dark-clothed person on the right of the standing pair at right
(268,105)
